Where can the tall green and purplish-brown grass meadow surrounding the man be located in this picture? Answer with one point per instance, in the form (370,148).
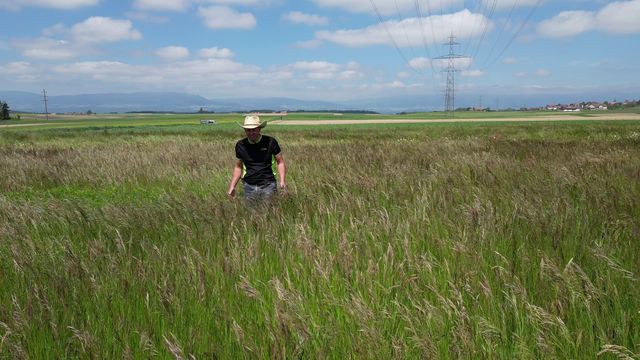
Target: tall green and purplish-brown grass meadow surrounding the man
(466,240)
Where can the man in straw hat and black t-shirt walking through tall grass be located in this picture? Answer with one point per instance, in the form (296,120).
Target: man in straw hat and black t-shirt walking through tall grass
(258,157)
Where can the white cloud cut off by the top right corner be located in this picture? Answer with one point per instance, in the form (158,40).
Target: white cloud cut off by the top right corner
(616,18)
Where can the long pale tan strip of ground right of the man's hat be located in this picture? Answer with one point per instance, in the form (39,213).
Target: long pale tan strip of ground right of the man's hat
(404,121)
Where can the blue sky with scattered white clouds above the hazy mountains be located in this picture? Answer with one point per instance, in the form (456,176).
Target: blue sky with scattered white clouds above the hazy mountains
(323,49)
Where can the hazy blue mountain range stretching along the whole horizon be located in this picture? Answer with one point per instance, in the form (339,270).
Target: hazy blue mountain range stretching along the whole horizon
(182,102)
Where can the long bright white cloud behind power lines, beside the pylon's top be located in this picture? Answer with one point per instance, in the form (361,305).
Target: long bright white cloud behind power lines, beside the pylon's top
(408,31)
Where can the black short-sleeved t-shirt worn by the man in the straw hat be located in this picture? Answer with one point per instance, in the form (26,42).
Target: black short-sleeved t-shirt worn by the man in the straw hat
(258,159)
